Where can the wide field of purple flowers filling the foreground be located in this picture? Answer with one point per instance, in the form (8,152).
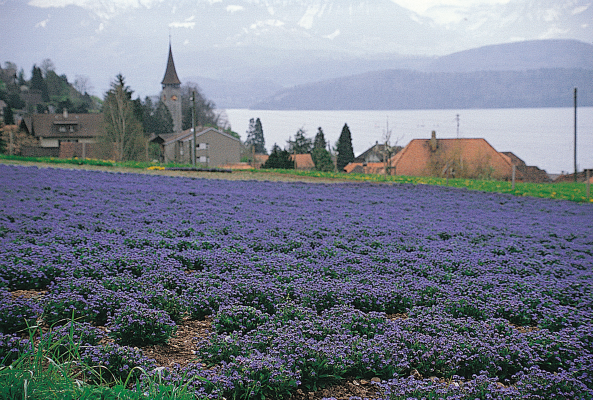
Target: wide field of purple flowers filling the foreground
(437,292)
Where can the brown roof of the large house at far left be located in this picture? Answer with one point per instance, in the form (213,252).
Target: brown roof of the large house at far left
(48,125)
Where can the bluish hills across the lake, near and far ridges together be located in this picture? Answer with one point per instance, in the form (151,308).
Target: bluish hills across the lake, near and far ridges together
(515,75)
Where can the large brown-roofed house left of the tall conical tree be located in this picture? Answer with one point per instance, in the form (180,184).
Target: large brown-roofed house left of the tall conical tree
(53,130)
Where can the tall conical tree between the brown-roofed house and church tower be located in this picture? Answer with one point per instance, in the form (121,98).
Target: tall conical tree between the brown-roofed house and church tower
(122,127)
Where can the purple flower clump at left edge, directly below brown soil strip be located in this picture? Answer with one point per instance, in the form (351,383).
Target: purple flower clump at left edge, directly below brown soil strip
(16,314)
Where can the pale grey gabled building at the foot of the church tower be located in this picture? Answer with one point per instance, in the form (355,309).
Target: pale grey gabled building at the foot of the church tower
(214,148)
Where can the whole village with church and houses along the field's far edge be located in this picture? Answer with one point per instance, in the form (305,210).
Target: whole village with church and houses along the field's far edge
(76,134)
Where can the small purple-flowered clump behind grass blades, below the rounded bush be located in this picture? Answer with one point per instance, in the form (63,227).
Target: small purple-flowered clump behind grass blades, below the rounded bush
(111,362)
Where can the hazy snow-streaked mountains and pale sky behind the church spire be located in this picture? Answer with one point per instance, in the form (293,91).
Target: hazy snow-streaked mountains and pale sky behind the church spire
(285,42)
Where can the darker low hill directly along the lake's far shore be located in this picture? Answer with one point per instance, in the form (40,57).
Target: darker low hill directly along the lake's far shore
(406,89)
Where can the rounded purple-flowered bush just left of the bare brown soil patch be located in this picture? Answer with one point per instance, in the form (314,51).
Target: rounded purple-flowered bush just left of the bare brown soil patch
(135,324)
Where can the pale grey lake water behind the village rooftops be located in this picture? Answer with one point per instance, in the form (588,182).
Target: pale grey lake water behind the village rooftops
(543,137)
